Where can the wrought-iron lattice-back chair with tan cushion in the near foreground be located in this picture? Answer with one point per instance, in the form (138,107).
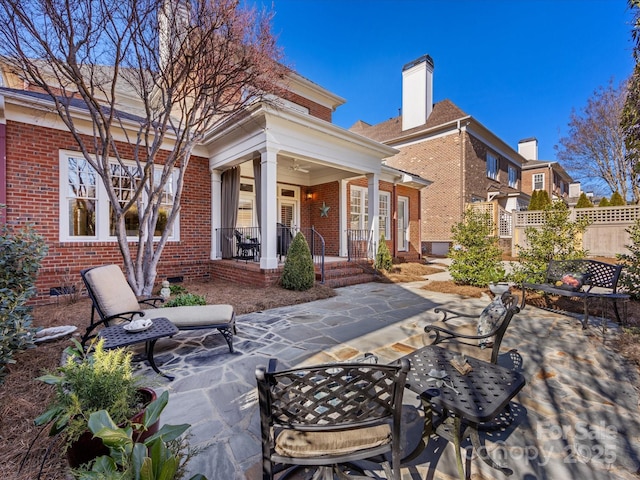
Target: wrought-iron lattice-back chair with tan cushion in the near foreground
(329,416)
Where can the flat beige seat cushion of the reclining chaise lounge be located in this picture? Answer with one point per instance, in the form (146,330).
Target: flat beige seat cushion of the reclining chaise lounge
(194,316)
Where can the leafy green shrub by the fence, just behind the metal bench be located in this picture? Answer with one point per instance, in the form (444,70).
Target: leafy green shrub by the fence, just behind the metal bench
(558,238)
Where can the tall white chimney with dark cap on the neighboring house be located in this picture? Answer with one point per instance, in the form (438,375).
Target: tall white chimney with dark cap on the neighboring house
(417,92)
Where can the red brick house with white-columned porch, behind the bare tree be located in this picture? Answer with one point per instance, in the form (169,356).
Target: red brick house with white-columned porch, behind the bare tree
(312,173)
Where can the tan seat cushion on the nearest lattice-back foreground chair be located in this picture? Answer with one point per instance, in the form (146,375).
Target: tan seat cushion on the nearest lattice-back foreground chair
(295,443)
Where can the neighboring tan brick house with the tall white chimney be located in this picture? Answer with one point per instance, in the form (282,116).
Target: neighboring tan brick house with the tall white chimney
(465,161)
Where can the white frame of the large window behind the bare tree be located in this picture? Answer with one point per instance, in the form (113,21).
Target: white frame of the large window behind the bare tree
(102,233)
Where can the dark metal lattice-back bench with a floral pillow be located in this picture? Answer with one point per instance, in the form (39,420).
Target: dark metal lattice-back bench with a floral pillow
(588,280)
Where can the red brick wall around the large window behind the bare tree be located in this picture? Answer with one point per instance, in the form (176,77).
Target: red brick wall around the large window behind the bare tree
(33,197)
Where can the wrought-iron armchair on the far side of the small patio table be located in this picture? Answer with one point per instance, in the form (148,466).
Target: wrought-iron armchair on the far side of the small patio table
(463,337)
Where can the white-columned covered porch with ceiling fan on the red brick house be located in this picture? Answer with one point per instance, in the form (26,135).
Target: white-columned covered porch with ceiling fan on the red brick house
(277,171)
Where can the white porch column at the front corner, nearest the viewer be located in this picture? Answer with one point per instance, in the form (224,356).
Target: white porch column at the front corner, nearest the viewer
(268,213)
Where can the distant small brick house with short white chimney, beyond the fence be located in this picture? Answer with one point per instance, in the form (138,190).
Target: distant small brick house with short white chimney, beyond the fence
(542,174)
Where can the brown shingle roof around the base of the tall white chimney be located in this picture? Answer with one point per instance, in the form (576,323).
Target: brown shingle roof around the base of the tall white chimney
(443,112)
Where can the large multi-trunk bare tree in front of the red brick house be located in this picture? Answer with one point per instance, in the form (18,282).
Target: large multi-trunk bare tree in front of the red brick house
(159,74)
